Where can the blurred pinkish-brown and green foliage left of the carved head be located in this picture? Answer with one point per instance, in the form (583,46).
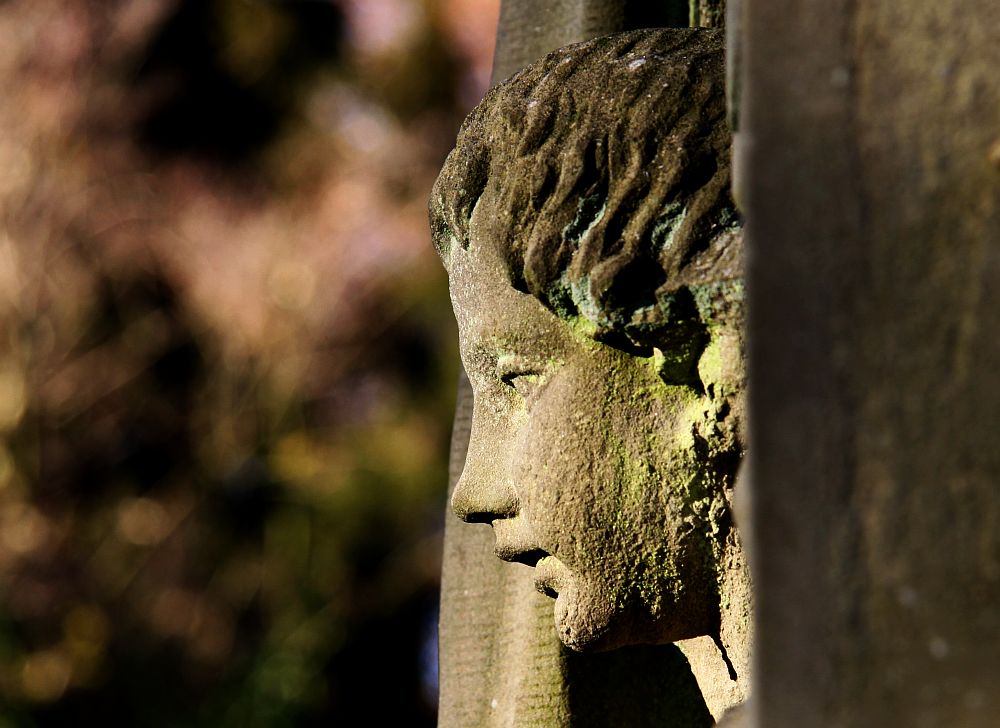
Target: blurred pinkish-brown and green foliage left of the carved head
(227,358)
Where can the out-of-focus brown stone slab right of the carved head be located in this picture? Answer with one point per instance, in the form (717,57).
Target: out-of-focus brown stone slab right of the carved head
(872,194)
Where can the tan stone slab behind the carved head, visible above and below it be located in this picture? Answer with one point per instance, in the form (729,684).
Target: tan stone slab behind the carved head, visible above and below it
(501,662)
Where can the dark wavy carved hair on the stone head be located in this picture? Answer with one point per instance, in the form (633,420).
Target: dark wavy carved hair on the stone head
(602,174)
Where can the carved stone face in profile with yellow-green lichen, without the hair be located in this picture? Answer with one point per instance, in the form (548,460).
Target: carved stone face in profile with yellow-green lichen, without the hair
(589,467)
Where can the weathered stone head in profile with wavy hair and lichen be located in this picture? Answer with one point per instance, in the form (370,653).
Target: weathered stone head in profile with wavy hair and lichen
(593,252)
